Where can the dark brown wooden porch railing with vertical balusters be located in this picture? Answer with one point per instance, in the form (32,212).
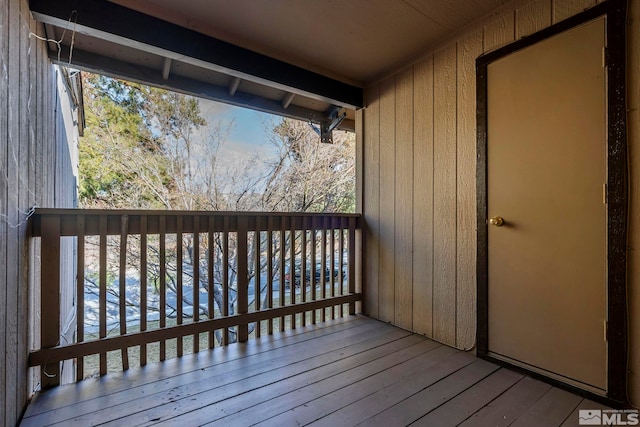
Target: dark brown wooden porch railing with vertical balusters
(195,278)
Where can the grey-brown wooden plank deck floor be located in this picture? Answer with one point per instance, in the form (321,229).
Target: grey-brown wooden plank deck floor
(341,373)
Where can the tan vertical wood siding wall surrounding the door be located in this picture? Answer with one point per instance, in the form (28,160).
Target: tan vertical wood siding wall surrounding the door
(419,195)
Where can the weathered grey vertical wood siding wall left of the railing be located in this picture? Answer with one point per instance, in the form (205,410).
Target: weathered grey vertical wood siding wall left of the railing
(31,155)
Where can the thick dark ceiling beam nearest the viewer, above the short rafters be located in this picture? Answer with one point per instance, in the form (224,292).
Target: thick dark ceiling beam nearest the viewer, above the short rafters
(117,24)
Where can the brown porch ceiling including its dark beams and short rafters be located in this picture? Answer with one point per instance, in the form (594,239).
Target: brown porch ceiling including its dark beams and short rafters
(297,58)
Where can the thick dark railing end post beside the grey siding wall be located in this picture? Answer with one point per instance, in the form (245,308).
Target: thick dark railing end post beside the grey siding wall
(50,296)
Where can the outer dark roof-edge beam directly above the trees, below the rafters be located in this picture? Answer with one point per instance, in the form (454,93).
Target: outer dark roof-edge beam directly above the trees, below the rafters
(119,69)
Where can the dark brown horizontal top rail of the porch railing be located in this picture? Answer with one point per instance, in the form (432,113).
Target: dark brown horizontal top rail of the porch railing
(70,221)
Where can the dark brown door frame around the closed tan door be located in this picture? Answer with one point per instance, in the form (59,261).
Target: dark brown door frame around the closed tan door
(617,195)
